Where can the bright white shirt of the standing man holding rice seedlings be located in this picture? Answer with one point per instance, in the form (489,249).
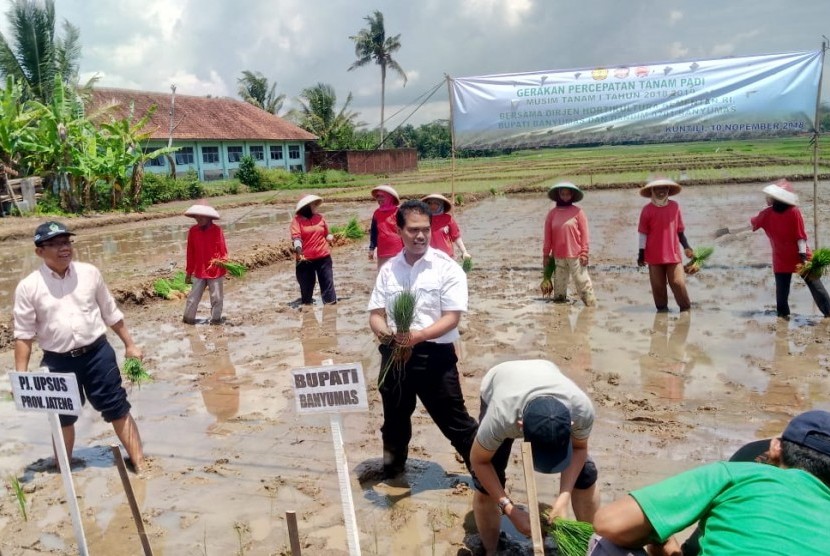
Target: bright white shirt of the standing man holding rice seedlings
(439,285)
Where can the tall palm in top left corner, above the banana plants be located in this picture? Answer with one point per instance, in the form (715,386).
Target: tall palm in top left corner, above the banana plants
(33,55)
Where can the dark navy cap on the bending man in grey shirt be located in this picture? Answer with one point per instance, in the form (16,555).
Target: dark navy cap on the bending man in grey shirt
(546,424)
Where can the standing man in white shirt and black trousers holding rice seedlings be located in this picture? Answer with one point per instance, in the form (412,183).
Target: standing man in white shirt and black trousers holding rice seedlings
(440,288)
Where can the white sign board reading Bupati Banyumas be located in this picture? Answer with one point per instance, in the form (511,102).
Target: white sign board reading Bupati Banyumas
(330,389)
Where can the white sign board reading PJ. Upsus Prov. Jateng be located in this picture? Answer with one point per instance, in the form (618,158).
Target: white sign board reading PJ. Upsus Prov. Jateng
(46,392)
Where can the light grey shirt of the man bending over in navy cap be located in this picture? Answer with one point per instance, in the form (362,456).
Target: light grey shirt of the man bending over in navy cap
(508,387)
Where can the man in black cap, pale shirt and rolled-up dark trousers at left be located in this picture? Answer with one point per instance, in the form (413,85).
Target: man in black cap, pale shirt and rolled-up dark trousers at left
(67,306)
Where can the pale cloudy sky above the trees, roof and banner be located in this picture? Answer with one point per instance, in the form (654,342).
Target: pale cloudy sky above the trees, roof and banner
(203,45)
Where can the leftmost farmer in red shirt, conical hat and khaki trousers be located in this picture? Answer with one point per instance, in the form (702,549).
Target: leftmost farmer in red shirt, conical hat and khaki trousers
(205,242)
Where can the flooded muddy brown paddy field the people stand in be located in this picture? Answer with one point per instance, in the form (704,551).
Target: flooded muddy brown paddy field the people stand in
(229,456)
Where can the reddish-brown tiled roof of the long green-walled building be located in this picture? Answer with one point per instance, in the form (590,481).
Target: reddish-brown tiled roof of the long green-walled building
(201,118)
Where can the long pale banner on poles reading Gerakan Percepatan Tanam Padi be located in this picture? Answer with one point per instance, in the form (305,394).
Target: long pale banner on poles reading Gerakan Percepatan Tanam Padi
(737,98)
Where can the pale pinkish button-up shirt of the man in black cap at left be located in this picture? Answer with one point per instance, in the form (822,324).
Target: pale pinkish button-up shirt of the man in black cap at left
(64,313)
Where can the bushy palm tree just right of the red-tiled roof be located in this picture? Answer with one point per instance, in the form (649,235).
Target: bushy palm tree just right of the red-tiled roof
(318,115)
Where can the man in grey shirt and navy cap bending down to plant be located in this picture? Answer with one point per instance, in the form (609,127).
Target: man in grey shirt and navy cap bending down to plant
(531,400)
